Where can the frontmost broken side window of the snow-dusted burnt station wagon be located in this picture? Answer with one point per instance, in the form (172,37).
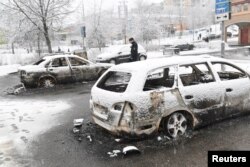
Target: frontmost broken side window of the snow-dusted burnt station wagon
(228,72)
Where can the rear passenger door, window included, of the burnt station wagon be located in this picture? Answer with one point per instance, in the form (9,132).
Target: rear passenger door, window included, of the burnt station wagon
(201,92)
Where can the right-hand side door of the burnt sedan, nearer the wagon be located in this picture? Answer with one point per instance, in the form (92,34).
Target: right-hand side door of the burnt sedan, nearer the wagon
(82,70)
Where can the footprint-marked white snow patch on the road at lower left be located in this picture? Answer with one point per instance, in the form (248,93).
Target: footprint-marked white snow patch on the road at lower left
(22,120)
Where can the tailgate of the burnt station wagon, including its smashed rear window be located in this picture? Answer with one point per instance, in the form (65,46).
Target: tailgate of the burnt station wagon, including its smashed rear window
(108,97)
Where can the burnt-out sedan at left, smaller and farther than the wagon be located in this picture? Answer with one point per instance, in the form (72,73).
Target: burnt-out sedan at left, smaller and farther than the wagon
(52,70)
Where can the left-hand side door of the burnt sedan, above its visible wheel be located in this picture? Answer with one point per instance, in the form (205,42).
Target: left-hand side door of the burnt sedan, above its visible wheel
(59,68)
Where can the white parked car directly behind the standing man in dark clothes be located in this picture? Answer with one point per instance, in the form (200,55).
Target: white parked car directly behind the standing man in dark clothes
(117,54)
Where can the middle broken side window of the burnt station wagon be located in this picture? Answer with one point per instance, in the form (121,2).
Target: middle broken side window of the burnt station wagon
(194,74)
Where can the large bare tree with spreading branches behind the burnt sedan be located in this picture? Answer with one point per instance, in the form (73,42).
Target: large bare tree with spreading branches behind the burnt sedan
(45,15)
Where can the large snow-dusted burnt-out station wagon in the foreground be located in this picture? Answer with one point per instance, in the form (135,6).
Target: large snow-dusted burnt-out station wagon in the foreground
(175,95)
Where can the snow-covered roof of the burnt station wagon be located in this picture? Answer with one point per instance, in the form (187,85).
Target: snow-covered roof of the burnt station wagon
(151,64)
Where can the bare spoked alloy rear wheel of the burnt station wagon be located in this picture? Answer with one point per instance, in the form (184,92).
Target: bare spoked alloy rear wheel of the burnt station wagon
(176,125)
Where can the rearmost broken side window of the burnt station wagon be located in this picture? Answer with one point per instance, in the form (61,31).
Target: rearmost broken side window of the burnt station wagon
(159,78)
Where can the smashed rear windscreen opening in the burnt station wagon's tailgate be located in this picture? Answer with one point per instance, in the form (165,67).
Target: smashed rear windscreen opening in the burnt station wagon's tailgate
(115,81)
